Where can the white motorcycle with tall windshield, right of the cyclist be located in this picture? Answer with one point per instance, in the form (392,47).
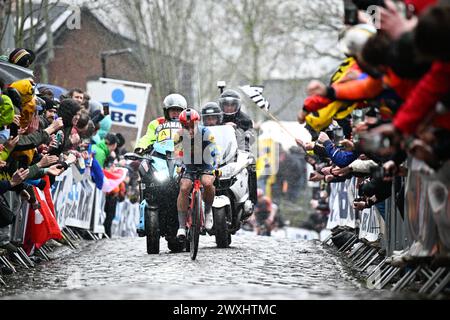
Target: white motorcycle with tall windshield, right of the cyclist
(232,204)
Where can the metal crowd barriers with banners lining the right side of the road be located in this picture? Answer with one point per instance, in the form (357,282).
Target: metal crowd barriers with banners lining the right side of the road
(403,249)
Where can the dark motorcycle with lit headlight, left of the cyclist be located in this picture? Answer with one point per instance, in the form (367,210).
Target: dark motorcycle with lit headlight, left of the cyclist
(159,190)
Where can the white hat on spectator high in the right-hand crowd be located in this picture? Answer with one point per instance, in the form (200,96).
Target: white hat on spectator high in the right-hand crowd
(353,39)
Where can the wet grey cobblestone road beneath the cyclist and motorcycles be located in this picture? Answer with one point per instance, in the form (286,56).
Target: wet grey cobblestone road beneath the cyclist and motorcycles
(253,268)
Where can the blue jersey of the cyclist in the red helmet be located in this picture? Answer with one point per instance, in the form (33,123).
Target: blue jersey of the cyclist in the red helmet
(200,151)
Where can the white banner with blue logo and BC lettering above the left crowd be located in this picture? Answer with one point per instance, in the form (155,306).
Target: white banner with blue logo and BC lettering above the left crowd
(127,100)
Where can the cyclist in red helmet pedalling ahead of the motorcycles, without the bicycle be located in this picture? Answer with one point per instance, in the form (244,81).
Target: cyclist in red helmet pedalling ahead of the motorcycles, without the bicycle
(199,153)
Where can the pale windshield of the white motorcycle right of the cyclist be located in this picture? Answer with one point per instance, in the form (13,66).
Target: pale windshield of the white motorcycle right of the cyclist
(226,142)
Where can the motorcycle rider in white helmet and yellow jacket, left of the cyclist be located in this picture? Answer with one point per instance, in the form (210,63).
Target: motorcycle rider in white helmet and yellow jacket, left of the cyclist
(174,104)
